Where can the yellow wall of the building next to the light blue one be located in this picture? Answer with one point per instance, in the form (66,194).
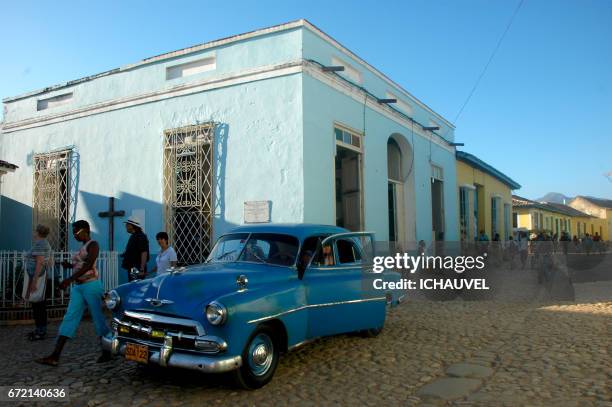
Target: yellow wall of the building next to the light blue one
(490,187)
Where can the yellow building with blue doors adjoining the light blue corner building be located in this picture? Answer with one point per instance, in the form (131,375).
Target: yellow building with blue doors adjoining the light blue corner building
(485,198)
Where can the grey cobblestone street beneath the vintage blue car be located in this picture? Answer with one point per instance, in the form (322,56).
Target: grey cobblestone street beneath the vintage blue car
(430,353)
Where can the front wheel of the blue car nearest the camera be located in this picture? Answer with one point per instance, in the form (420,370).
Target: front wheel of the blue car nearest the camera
(259,359)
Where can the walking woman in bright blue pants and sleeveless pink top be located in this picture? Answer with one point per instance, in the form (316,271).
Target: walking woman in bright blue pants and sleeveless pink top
(86,292)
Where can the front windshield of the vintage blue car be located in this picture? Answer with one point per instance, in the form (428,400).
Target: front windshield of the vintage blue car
(269,248)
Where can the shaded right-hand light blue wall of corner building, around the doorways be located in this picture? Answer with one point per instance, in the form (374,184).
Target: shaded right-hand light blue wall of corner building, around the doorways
(329,100)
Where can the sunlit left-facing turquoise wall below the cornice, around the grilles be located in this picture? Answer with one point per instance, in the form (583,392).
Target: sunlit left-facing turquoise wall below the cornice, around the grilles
(121,155)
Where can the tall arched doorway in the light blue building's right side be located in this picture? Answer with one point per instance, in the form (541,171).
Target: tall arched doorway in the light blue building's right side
(400,190)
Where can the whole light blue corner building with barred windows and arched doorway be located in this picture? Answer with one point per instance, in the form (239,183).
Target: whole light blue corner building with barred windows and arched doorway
(257,127)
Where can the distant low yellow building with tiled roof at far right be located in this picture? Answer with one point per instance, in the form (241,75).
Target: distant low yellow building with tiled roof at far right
(553,218)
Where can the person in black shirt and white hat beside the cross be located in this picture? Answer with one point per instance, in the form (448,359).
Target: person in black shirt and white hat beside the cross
(136,254)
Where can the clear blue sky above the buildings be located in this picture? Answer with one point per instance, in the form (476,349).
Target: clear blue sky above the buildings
(542,114)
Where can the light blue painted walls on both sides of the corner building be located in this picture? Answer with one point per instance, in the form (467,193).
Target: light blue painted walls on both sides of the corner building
(275,128)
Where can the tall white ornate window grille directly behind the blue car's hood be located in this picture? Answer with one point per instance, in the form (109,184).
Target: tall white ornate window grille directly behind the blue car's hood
(188,190)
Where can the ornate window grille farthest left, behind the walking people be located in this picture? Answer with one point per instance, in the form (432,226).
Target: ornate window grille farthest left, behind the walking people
(51,198)
